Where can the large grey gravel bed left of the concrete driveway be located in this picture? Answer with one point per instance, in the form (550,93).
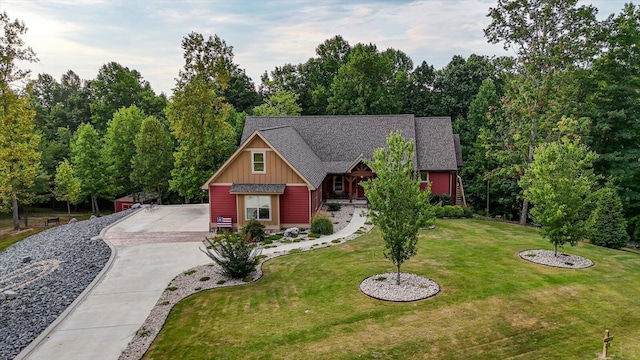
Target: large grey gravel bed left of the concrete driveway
(63,261)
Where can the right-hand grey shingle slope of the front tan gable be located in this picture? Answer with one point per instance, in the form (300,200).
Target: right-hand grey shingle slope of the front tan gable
(297,152)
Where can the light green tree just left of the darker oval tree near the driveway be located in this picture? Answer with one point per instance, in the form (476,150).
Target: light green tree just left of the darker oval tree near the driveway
(119,148)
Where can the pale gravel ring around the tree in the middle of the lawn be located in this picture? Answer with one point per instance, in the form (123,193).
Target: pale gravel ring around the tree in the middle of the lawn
(412,287)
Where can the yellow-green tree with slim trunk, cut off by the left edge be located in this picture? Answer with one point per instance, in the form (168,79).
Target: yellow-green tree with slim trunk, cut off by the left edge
(19,155)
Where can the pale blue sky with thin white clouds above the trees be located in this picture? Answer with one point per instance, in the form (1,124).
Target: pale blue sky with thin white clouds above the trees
(145,35)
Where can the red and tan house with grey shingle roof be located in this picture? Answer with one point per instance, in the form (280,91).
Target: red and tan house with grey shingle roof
(287,167)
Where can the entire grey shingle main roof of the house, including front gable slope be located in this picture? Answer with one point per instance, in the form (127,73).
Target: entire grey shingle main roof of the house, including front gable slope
(319,145)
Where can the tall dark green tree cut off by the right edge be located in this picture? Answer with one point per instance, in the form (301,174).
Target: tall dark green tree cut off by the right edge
(614,107)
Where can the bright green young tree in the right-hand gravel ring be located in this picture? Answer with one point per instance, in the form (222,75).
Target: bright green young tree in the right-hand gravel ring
(560,183)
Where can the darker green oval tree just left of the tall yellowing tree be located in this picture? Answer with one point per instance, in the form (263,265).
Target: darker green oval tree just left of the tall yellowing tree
(151,165)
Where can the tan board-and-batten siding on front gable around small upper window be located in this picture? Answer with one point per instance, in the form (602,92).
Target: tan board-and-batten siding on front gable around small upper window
(277,170)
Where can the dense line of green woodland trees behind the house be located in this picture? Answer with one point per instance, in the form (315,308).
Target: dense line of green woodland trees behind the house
(573,76)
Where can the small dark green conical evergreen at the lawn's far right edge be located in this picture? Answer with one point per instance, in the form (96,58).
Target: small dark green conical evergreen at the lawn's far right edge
(609,226)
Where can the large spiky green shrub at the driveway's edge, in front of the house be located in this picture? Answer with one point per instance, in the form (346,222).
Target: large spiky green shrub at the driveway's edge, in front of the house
(237,255)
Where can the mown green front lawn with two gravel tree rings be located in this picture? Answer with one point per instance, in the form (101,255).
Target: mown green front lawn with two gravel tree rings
(493,305)
